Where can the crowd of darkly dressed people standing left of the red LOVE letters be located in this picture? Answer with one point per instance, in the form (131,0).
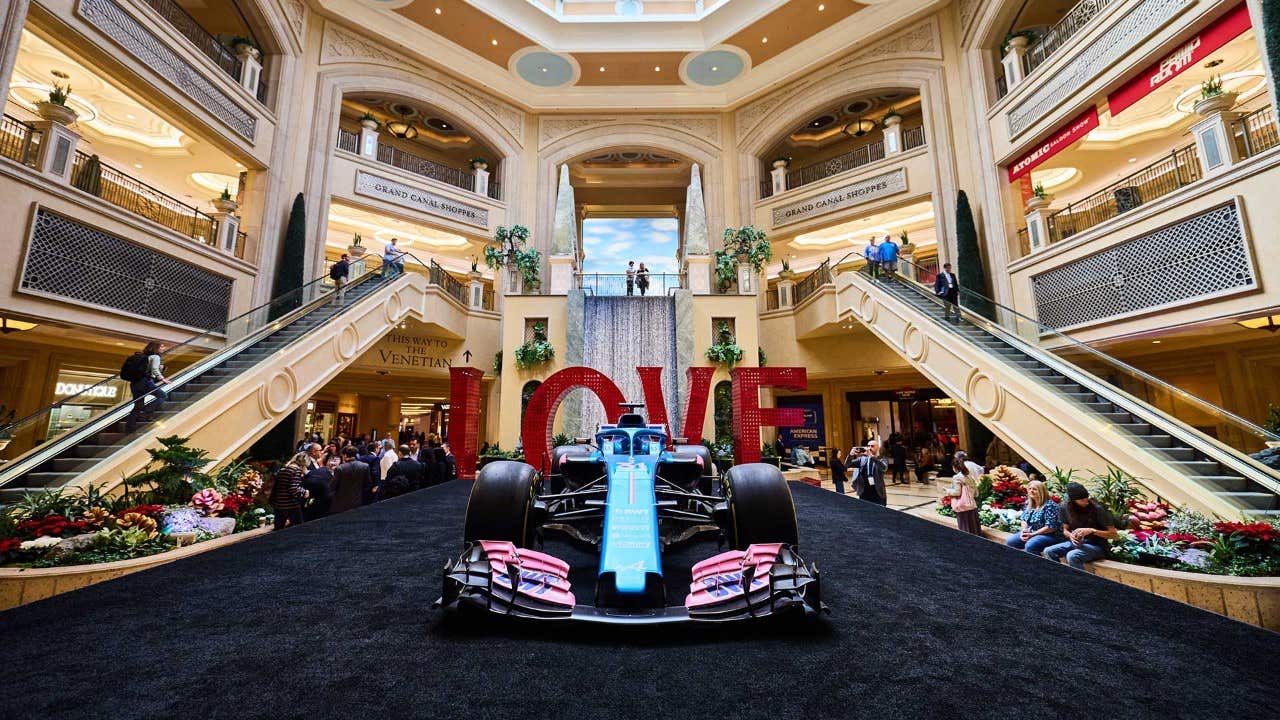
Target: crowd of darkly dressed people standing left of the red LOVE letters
(344,475)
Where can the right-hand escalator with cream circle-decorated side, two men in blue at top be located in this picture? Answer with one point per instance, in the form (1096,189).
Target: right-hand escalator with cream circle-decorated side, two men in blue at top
(1114,413)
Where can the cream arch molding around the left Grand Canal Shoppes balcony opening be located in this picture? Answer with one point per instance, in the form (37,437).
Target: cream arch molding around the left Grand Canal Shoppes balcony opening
(340,79)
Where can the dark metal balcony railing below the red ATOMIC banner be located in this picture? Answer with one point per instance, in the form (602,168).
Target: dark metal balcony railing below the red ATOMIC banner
(1180,168)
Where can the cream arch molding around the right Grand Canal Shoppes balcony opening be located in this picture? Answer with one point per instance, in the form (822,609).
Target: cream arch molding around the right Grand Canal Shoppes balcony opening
(798,102)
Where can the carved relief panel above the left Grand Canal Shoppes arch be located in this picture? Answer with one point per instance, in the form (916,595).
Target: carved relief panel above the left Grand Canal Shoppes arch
(345,48)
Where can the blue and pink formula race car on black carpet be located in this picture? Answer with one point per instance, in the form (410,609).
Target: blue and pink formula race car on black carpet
(632,496)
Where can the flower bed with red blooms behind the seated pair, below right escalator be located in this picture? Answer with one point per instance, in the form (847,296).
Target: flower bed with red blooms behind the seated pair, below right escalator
(1153,534)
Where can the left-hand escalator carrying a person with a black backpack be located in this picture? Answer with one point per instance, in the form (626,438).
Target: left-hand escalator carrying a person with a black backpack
(103,449)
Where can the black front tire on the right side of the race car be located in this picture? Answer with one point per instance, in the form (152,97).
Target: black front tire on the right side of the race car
(761,509)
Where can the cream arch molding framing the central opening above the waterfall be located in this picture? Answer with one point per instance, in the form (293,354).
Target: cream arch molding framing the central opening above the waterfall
(565,139)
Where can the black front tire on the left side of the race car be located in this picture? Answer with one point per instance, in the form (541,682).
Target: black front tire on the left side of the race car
(501,504)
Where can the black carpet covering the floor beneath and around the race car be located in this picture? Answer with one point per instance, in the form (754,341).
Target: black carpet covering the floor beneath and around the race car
(332,621)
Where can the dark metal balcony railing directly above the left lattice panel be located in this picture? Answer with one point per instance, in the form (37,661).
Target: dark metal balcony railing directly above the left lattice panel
(139,198)
